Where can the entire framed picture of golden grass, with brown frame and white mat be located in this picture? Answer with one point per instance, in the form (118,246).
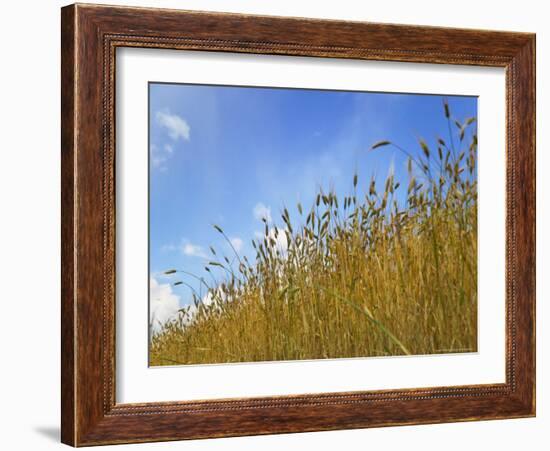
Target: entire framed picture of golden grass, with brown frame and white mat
(279,225)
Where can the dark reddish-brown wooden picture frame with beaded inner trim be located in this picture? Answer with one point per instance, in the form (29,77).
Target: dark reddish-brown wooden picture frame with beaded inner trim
(90,36)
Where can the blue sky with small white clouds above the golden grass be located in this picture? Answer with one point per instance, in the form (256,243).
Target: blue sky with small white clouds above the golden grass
(229,155)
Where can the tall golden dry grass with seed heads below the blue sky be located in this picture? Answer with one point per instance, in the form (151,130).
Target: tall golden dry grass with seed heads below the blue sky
(368,274)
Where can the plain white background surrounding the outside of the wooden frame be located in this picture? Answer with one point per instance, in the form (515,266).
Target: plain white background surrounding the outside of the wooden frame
(29,248)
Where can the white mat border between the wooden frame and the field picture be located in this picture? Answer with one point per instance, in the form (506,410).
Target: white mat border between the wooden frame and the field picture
(138,383)
